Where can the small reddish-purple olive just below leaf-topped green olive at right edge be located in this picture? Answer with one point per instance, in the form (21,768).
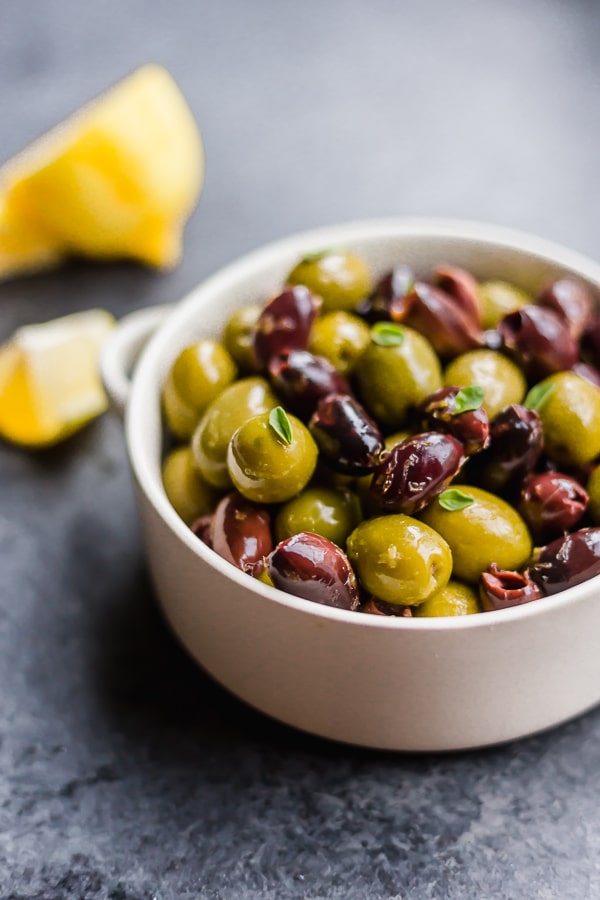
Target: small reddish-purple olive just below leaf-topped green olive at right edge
(551,503)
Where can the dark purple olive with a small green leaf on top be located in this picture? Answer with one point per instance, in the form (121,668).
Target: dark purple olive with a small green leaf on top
(438,412)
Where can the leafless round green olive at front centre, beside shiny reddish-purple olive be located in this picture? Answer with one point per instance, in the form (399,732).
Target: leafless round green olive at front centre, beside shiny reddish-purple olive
(399,559)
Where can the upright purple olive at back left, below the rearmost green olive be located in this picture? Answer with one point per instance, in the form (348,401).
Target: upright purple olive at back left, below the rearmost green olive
(284,324)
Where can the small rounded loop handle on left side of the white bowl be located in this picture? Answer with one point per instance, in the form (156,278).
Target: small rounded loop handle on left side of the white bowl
(122,349)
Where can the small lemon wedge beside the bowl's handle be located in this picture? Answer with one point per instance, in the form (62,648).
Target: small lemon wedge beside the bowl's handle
(49,378)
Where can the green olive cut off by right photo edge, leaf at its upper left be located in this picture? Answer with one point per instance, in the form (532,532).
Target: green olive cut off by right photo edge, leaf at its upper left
(570,414)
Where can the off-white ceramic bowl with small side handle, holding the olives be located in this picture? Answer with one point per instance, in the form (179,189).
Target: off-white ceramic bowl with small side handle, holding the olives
(392,683)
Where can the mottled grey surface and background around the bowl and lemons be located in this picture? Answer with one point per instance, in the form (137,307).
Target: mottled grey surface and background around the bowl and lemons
(124,772)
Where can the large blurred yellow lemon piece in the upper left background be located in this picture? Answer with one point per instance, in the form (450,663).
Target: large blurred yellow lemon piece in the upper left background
(118,179)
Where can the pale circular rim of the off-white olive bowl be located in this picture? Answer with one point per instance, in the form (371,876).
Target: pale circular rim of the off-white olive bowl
(224,278)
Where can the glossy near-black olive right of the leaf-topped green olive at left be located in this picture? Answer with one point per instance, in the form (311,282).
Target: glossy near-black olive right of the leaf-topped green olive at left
(347,437)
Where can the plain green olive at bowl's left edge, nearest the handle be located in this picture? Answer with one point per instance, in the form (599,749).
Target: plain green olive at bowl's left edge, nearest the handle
(198,375)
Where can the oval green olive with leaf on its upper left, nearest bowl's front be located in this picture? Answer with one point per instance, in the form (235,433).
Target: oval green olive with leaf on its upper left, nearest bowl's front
(486,531)
